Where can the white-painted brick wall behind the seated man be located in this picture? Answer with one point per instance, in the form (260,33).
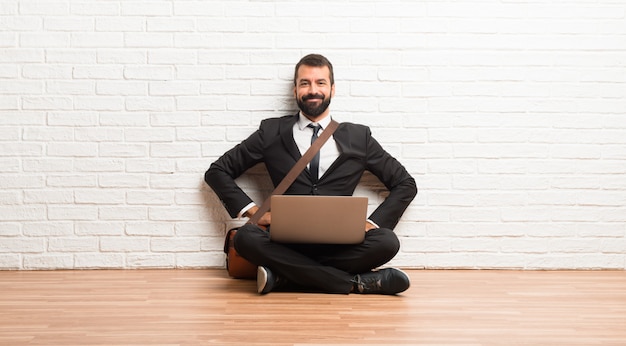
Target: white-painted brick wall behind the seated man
(510,115)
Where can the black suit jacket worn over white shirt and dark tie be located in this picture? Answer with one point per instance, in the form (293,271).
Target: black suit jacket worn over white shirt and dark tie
(274,145)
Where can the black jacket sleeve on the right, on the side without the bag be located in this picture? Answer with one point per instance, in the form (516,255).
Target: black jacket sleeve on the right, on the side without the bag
(401,186)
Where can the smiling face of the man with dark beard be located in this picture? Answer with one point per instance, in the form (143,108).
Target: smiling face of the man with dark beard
(313,91)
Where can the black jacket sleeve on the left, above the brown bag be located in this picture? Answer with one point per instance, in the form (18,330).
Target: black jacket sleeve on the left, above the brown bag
(222,173)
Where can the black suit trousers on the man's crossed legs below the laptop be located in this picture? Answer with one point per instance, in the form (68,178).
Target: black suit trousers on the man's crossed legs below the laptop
(324,268)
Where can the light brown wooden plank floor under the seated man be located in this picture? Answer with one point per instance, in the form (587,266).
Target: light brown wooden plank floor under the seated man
(198,307)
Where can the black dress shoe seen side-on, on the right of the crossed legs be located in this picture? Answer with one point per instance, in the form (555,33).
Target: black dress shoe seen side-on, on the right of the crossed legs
(384,281)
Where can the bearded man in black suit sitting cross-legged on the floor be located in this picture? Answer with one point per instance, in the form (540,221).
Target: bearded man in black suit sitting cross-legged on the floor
(279,143)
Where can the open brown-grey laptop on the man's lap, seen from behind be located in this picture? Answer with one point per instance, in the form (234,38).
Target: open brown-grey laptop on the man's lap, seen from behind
(318,219)
